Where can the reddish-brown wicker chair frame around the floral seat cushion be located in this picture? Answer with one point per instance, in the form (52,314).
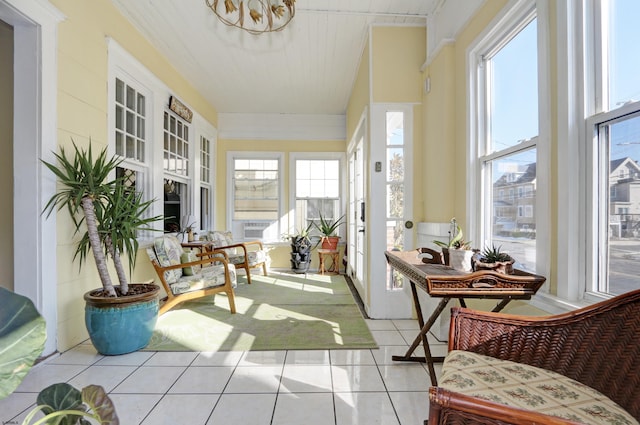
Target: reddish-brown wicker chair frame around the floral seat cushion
(598,346)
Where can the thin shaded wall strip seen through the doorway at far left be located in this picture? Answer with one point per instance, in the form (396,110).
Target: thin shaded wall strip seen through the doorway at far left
(6,163)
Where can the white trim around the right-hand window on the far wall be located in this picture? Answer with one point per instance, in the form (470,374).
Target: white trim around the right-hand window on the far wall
(291,225)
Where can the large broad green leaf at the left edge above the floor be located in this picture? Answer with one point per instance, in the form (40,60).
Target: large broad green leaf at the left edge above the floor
(22,338)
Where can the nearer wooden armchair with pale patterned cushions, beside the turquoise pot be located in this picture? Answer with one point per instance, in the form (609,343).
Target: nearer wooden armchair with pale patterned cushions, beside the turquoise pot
(210,273)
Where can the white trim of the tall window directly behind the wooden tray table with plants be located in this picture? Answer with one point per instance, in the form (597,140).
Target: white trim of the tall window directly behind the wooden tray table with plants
(510,17)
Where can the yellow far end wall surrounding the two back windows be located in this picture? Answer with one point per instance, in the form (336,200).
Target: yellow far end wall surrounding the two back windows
(278,253)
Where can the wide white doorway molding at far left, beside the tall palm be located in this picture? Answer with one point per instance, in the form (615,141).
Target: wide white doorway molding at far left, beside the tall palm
(35,137)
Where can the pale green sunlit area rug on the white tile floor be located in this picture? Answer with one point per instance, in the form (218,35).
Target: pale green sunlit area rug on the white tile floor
(281,311)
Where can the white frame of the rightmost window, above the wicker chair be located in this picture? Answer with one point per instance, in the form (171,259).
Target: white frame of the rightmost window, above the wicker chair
(589,109)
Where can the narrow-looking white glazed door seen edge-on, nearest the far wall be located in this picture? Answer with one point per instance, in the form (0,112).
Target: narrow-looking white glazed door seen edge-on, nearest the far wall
(357,214)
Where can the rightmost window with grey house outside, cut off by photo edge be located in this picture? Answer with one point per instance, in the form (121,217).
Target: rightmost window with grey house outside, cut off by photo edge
(615,124)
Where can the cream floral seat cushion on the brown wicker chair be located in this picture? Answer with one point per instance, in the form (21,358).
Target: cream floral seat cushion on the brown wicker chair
(530,388)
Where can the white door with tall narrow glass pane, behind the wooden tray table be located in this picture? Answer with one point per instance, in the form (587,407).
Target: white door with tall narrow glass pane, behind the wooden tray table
(391,208)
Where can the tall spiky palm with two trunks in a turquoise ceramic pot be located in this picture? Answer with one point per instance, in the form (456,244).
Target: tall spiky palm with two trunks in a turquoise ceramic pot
(108,216)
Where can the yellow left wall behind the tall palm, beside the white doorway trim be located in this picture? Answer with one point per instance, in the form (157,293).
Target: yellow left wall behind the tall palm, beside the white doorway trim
(82,114)
